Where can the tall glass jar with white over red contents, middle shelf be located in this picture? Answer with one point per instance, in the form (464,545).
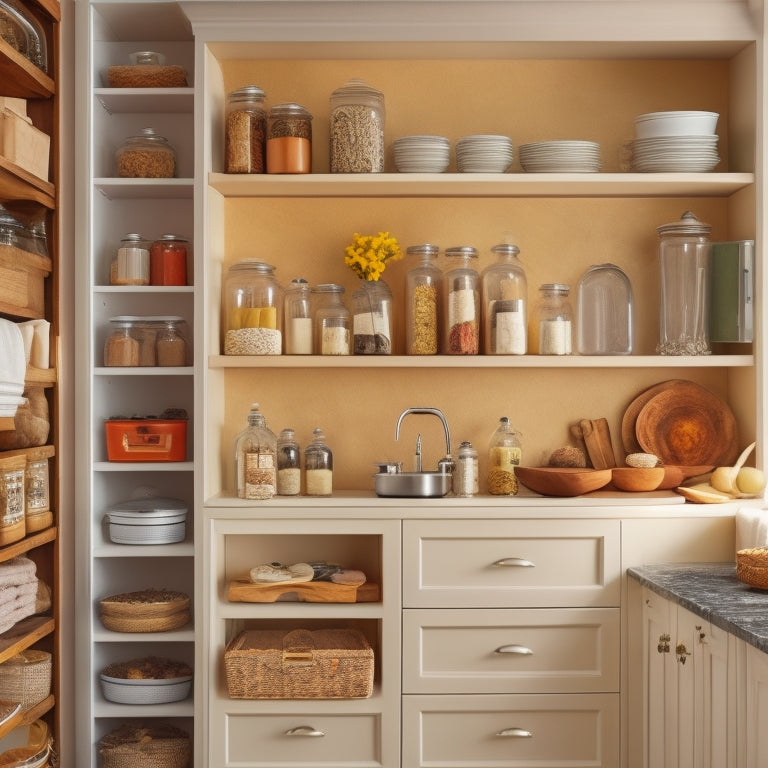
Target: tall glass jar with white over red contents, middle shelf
(461,294)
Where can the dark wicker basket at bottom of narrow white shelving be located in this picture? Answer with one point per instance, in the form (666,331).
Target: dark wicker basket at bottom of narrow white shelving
(150,746)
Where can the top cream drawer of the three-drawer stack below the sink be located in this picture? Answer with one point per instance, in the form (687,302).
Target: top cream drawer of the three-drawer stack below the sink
(512,563)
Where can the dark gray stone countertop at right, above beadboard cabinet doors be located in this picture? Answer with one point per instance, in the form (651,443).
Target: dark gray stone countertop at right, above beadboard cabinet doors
(712,591)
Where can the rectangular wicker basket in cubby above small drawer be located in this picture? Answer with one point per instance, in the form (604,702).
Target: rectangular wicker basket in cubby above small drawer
(300,664)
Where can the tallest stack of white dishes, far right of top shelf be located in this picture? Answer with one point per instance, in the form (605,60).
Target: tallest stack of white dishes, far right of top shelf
(675,142)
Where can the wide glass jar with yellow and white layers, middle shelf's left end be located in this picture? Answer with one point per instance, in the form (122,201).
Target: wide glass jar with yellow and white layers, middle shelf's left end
(254,303)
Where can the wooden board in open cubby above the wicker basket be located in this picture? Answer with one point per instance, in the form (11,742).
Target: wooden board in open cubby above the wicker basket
(245,591)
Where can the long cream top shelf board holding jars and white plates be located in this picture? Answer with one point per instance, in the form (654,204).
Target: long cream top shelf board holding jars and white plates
(481,184)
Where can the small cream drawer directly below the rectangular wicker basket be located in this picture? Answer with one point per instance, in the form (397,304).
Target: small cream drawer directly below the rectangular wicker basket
(302,739)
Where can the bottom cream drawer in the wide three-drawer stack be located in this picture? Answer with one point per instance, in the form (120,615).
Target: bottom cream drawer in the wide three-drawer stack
(501,731)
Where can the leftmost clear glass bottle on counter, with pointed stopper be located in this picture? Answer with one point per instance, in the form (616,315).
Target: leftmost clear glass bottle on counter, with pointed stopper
(255,458)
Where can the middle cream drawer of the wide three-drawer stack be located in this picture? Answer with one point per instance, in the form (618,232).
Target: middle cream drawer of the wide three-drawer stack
(540,650)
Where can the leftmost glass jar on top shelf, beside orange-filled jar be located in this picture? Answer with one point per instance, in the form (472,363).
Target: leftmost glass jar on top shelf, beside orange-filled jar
(245,133)
